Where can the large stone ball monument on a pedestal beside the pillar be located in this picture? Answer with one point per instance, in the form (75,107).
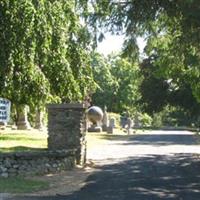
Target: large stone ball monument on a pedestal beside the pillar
(95,115)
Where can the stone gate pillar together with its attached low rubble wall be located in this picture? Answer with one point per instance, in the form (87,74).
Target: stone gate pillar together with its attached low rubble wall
(66,144)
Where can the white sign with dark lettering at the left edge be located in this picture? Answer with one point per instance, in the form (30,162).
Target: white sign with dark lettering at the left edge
(4,110)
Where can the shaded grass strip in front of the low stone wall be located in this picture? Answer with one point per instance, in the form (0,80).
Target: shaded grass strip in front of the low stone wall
(21,185)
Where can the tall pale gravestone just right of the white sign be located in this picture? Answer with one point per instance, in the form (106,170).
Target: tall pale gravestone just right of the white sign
(22,118)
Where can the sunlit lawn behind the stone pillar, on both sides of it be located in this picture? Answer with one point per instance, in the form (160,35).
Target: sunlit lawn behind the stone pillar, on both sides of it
(17,140)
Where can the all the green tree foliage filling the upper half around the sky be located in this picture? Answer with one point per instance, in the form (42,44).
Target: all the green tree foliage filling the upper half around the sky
(46,46)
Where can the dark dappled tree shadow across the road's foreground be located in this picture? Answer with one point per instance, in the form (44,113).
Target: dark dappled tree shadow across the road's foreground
(142,178)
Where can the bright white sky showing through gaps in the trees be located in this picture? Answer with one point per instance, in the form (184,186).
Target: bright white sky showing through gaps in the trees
(113,43)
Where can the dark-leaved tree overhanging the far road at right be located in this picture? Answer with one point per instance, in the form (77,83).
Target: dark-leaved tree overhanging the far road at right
(159,91)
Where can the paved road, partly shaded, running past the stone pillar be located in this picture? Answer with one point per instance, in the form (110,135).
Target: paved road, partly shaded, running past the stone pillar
(160,165)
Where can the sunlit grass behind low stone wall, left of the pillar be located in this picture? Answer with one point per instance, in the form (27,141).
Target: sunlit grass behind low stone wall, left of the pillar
(14,141)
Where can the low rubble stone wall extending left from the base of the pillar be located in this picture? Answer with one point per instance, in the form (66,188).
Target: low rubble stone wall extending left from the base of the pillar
(38,162)
